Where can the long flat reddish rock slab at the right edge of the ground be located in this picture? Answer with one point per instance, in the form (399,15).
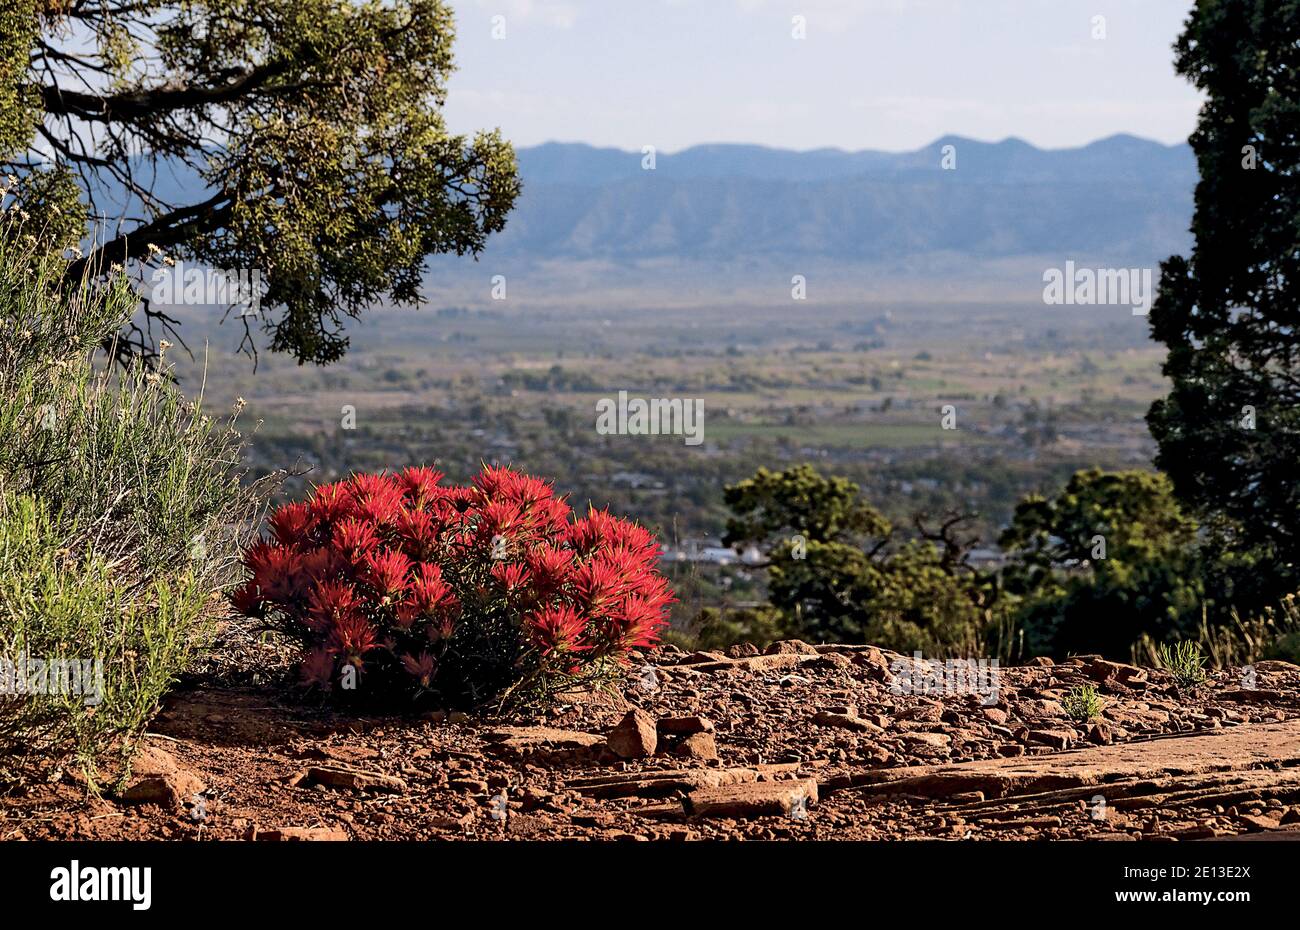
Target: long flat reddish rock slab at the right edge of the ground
(1237,750)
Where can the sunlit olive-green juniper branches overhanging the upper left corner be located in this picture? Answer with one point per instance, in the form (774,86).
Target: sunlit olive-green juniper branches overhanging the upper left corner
(305,136)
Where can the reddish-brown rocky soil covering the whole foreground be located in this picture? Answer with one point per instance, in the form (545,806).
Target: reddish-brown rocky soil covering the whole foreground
(799,743)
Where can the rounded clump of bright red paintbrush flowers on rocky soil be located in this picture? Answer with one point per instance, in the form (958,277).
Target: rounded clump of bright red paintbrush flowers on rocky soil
(456,591)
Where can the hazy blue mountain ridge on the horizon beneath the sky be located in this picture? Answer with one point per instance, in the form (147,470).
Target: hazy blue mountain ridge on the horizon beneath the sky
(1121,197)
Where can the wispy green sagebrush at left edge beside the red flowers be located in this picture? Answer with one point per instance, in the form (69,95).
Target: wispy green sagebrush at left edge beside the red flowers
(120,514)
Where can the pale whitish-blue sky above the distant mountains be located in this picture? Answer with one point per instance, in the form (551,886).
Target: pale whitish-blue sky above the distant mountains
(889,75)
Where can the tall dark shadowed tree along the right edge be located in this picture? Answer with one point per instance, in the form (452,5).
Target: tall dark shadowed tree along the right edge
(1229,431)
